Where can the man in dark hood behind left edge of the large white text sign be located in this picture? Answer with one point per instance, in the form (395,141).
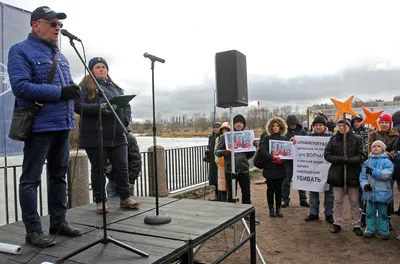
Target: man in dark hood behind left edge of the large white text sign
(294,129)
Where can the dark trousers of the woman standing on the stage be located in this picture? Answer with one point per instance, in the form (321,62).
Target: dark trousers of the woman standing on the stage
(119,161)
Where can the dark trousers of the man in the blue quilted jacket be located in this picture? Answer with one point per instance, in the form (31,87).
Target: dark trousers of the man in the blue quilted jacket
(53,146)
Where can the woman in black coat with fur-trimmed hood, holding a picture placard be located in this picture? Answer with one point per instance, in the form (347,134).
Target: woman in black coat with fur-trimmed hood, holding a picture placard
(274,171)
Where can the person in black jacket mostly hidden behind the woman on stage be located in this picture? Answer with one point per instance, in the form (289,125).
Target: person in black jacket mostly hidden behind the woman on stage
(134,168)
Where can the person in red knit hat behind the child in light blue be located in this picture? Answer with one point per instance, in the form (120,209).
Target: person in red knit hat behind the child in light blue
(388,136)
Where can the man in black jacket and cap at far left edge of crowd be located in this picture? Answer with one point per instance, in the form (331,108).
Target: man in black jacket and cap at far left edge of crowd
(209,158)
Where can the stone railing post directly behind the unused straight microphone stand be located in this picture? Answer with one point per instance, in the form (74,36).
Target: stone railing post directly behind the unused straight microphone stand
(161,175)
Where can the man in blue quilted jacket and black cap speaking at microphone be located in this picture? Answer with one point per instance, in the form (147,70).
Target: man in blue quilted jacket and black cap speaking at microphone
(29,64)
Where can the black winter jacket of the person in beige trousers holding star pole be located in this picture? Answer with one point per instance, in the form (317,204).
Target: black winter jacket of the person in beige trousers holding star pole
(334,153)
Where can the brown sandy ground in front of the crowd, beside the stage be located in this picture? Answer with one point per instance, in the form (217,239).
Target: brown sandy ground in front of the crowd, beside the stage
(292,240)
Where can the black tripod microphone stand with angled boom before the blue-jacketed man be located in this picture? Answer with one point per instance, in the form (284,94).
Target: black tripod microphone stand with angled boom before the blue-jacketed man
(106,238)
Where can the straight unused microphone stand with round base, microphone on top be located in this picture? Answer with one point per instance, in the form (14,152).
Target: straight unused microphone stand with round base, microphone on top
(157,219)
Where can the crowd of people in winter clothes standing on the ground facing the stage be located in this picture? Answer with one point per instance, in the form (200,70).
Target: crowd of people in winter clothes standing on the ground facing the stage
(371,162)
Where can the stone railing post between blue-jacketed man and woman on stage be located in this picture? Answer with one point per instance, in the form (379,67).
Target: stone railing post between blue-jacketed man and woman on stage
(78,180)
